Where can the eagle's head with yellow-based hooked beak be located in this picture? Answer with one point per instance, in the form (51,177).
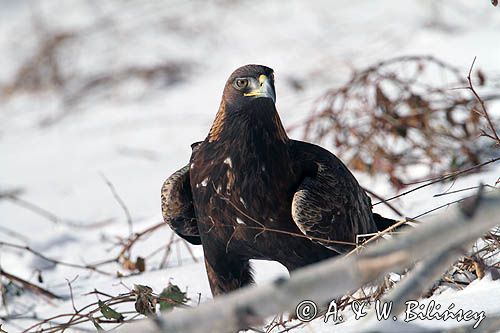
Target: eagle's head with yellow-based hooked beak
(248,83)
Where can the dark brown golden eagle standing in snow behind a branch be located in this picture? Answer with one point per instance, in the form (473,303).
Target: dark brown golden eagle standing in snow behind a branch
(250,192)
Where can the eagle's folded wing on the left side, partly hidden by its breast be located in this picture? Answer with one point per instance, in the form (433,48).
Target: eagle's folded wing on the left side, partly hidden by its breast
(177,205)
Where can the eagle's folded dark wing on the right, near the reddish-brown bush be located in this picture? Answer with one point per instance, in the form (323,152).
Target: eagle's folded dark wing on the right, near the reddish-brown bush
(329,205)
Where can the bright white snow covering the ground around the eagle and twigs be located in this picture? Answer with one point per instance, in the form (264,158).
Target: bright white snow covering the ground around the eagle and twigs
(136,132)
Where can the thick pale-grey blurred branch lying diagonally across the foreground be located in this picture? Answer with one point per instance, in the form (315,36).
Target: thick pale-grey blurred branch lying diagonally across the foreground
(331,278)
